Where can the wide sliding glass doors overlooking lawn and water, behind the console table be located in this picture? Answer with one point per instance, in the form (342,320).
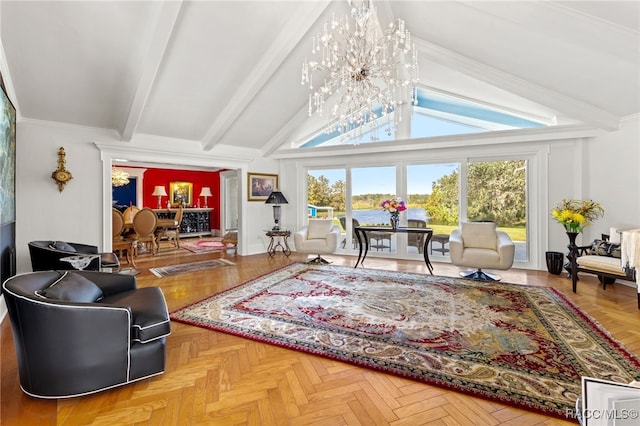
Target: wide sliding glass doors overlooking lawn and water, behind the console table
(436,198)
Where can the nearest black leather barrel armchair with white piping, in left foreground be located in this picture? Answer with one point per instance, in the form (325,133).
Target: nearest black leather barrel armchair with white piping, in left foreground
(69,345)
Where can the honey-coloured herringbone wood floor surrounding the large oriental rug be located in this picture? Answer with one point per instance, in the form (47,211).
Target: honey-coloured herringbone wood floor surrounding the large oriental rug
(213,378)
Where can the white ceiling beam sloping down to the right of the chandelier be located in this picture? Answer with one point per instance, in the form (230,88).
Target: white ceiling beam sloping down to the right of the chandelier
(569,106)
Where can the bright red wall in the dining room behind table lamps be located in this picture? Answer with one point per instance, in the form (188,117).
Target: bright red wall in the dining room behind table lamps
(153,177)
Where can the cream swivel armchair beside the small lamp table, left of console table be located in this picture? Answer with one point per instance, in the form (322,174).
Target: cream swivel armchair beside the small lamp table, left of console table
(319,237)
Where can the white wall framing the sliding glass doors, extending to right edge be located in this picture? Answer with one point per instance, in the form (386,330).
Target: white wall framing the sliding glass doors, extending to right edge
(581,164)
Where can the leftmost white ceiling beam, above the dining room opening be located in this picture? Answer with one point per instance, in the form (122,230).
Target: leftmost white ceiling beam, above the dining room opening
(165,23)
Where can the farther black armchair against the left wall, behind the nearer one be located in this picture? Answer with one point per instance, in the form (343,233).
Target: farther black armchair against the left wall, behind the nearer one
(46,255)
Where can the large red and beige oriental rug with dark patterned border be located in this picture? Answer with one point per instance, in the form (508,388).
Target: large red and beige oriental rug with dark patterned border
(520,345)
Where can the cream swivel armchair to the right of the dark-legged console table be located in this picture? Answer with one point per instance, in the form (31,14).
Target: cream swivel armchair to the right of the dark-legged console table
(480,245)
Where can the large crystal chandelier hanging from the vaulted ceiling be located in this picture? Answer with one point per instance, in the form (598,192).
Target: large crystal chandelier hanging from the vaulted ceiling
(371,71)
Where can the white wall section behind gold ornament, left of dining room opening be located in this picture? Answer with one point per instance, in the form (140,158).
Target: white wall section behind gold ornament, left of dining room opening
(44,213)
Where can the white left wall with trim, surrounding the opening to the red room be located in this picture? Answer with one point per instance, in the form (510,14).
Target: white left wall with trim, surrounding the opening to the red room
(81,212)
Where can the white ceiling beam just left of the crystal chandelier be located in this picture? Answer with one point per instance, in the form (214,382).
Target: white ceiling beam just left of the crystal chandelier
(296,28)
